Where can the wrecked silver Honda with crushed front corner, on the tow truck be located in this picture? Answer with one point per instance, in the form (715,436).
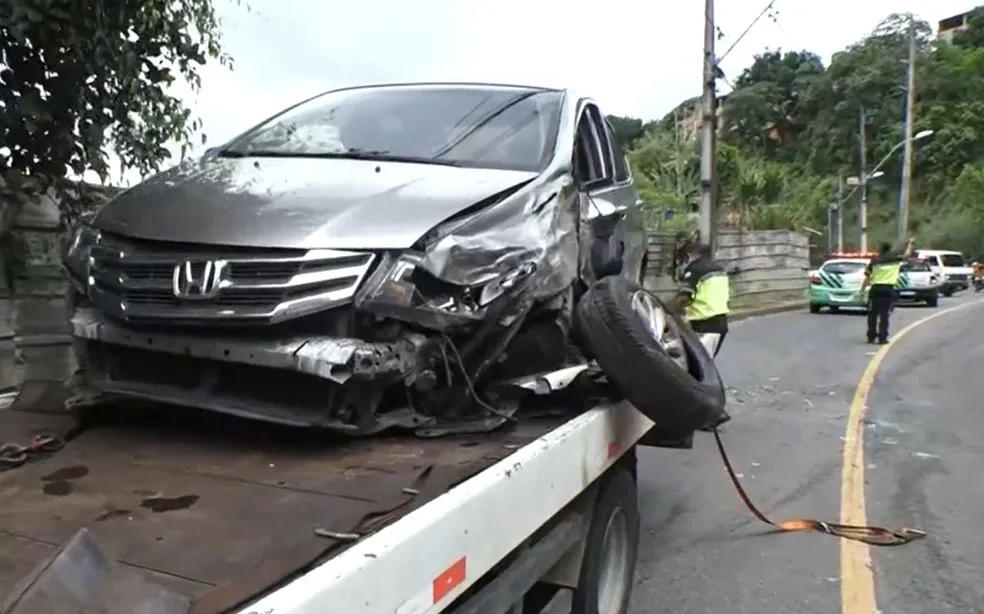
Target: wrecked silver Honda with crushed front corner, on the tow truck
(377,257)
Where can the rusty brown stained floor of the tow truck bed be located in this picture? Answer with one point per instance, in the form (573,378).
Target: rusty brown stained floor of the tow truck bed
(214,509)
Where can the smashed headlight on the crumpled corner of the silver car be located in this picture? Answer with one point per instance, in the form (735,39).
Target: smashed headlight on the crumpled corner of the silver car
(399,289)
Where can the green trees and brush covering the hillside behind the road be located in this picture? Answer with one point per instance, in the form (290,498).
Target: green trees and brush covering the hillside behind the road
(791,124)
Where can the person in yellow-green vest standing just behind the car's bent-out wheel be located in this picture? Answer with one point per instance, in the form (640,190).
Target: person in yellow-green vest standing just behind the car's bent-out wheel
(705,293)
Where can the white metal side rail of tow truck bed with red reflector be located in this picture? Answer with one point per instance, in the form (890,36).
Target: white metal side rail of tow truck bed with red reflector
(421,563)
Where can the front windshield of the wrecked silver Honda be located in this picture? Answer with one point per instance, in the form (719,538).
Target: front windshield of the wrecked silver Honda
(477,127)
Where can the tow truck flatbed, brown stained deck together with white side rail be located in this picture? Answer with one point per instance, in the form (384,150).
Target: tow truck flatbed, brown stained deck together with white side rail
(225,512)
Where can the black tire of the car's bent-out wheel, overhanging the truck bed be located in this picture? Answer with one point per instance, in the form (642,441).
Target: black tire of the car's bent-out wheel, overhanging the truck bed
(610,330)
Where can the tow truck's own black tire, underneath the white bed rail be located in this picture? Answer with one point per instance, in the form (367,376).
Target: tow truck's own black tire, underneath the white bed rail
(617,503)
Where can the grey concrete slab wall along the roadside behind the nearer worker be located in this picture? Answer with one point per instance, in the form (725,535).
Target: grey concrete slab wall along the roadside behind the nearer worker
(769,266)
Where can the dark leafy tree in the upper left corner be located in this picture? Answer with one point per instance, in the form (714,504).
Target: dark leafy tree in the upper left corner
(80,79)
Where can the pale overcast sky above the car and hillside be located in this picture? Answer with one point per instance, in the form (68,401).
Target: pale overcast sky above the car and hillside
(635,57)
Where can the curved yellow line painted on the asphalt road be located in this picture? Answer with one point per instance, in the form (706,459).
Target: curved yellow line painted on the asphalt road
(857,578)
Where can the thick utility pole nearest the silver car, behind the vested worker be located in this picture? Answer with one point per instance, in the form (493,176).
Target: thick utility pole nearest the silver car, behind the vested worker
(708,175)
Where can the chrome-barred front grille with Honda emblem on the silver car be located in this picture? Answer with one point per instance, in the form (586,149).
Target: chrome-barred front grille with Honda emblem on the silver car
(138,281)
